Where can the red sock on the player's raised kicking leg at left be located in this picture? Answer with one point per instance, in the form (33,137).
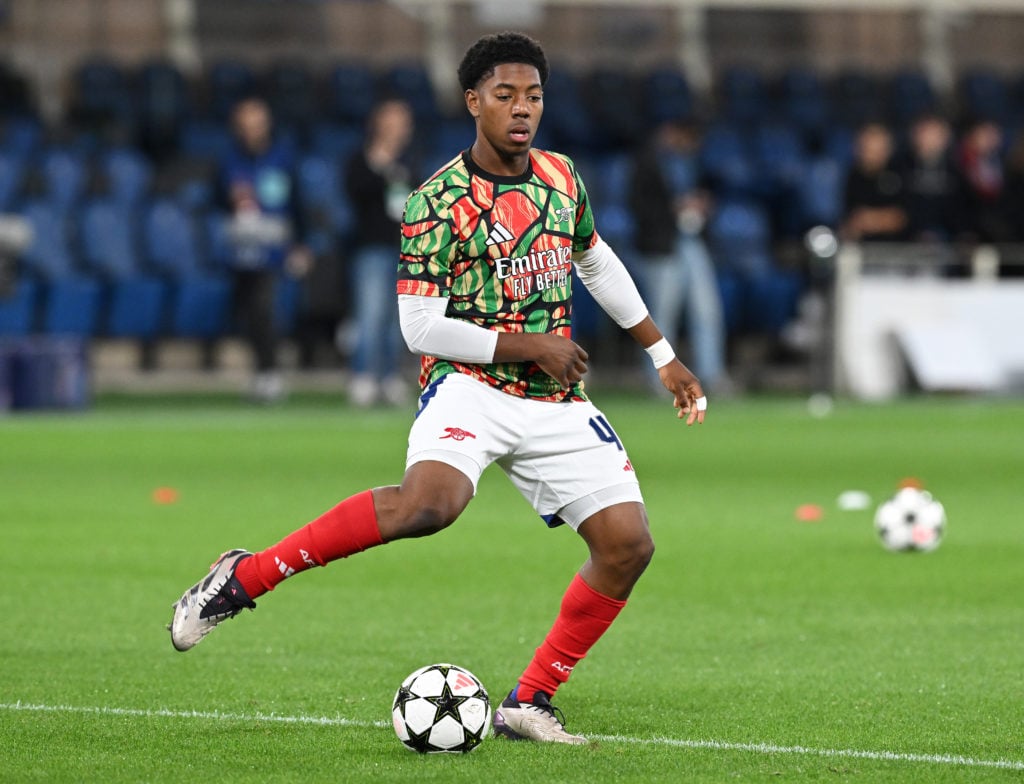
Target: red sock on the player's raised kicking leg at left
(351,528)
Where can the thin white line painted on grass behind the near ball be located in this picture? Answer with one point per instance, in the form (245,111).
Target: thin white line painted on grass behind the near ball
(757,749)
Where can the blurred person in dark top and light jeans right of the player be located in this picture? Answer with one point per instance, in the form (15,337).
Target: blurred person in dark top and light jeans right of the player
(670,207)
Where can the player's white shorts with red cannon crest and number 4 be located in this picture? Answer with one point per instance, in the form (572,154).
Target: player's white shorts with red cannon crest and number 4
(565,458)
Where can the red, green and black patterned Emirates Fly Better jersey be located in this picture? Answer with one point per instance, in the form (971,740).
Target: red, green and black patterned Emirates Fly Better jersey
(500,249)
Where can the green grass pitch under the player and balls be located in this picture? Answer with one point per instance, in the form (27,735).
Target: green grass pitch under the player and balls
(756,648)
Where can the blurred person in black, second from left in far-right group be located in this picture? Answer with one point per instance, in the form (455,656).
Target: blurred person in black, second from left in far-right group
(930,181)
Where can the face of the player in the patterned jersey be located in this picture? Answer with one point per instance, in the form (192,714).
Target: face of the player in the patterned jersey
(507,107)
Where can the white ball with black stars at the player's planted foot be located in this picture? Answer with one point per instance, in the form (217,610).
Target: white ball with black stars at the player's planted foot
(442,708)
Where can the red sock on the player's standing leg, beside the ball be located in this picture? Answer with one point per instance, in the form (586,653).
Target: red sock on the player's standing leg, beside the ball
(584,618)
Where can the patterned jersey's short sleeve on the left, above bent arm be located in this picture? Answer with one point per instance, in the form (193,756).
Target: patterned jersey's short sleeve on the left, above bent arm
(429,246)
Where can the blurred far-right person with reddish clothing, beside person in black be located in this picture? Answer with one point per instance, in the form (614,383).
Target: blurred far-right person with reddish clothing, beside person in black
(980,162)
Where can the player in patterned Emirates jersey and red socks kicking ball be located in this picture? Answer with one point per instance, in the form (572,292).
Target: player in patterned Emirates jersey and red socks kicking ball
(489,244)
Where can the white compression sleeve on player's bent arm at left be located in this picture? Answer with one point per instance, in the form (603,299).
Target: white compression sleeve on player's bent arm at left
(429,331)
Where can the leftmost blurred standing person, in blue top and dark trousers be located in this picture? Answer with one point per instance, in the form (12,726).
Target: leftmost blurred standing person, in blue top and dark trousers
(260,187)
